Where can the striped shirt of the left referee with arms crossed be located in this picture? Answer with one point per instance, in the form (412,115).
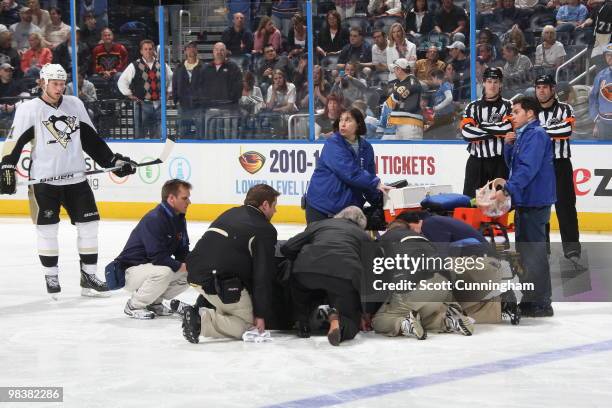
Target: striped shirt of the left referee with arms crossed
(483,126)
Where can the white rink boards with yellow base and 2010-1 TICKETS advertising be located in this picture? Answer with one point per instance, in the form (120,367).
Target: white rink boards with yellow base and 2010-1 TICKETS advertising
(221,173)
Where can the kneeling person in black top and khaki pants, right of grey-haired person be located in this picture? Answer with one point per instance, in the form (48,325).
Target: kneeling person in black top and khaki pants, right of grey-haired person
(412,313)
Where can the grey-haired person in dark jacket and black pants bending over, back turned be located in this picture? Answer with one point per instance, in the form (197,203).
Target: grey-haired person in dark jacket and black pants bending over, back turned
(327,264)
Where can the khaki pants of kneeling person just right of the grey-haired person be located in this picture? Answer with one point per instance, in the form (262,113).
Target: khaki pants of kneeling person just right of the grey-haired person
(389,317)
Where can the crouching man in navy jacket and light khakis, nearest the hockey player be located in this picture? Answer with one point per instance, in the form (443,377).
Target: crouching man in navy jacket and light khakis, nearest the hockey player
(154,256)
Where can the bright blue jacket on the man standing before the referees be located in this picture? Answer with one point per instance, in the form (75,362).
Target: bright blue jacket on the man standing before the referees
(532,180)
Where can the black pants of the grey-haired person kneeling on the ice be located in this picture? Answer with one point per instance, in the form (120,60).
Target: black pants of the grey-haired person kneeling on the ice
(342,295)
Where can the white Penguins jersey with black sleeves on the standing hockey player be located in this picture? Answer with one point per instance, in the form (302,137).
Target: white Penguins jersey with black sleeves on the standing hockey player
(59,135)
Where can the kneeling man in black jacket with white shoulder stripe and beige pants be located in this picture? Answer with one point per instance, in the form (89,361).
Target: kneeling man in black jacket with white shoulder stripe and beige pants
(235,255)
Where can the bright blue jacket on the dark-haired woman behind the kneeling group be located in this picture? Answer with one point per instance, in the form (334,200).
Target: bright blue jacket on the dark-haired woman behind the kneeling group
(343,178)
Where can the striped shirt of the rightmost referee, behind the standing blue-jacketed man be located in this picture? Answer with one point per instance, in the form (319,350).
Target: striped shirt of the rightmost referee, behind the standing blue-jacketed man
(558,121)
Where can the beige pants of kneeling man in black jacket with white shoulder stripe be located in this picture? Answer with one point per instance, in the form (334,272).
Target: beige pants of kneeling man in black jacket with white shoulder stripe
(227,320)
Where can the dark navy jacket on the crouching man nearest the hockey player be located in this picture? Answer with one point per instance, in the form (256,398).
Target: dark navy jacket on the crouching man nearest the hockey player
(159,235)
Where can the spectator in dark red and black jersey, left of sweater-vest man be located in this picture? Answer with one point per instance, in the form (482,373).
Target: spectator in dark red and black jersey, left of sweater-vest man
(109,58)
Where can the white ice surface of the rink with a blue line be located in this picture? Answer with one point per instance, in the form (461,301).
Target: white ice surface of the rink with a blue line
(104,359)
